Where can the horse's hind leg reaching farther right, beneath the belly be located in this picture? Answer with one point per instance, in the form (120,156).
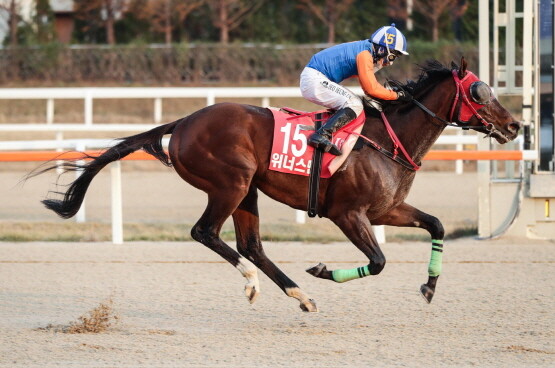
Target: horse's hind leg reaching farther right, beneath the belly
(246,222)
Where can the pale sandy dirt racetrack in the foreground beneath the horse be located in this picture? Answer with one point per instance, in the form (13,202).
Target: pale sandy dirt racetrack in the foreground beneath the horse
(180,305)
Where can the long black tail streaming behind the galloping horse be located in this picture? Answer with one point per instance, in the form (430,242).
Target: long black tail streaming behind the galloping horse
(150,141)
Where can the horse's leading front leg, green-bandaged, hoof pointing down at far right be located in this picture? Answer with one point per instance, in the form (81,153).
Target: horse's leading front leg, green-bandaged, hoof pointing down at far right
(405,215)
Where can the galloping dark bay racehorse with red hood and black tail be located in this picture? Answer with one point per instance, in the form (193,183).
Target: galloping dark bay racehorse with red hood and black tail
(224,150)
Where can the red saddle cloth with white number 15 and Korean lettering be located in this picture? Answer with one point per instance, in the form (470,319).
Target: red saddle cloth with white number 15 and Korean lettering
(290,152)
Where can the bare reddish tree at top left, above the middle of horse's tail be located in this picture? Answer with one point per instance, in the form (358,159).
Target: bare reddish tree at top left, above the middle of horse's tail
(103,13)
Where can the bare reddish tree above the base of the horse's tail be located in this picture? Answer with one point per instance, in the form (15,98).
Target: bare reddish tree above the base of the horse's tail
(163,15)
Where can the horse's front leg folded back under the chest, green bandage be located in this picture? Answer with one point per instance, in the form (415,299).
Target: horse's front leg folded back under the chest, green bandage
(356,226)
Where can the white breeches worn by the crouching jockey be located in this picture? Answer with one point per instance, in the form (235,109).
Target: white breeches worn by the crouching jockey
(317,88)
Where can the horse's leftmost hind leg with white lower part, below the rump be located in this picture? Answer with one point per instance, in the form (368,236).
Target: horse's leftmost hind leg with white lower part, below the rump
(207,231)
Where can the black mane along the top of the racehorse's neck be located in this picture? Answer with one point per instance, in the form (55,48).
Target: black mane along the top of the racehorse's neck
(431,73)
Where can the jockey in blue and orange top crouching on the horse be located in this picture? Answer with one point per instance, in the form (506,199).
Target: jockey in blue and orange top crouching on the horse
(327,68)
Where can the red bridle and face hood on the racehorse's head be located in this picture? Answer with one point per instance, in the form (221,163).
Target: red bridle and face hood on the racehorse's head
(461,103)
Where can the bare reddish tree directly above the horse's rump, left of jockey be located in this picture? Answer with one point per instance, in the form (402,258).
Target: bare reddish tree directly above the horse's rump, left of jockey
(228,14)
